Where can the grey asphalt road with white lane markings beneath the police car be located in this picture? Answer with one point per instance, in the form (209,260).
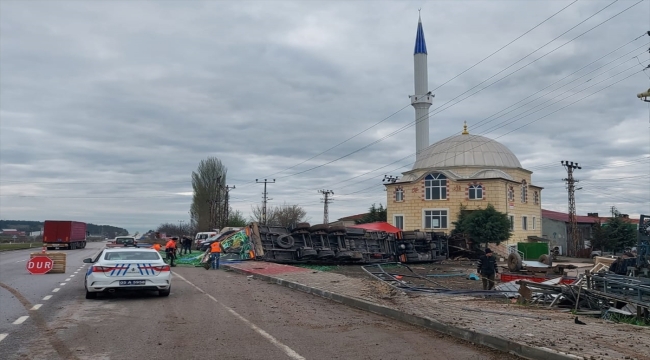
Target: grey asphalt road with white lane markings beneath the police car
(209,314)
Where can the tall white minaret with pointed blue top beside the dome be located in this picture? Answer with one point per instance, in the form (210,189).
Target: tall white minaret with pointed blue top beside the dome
(422,99)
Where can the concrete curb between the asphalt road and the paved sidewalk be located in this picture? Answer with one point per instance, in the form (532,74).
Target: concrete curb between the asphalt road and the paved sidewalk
(492,341)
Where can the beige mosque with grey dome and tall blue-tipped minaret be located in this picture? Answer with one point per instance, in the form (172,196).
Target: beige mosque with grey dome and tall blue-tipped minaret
(461,170)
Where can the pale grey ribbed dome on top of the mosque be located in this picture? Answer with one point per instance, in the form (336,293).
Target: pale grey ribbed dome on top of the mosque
(466,150)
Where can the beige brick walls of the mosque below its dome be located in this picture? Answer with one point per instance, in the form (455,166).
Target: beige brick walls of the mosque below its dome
(495,193)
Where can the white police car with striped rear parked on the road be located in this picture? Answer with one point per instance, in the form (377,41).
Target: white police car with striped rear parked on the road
(127,269)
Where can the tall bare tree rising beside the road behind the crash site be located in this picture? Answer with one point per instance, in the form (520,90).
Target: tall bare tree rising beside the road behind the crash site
(208,182)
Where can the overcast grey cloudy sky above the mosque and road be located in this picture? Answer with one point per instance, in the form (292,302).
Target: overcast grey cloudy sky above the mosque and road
(107,107)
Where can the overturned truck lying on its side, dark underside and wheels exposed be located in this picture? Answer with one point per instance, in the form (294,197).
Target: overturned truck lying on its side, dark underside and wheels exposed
(344,245)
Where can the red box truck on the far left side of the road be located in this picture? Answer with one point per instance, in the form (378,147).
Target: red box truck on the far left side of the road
(64,235)
